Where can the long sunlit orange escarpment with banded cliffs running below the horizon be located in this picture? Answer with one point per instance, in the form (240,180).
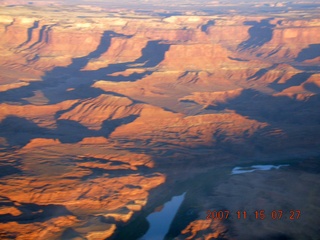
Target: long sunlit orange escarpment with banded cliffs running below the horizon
(39,40)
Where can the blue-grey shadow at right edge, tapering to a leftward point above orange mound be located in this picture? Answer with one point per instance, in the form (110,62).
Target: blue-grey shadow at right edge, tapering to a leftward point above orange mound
(273,109)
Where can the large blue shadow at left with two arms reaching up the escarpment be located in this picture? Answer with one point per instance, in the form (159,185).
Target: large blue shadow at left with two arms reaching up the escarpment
(55,84)
